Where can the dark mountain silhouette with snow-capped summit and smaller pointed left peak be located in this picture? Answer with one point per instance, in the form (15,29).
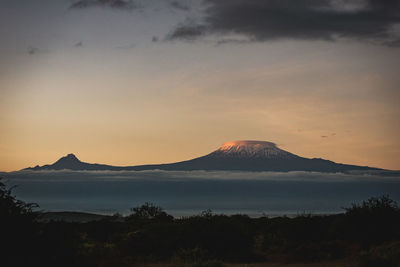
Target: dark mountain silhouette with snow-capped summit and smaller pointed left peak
(241,155)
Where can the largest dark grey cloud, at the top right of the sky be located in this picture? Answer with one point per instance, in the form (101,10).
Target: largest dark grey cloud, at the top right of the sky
(263,20)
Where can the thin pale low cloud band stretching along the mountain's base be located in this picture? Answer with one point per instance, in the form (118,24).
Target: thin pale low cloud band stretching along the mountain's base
(159,175)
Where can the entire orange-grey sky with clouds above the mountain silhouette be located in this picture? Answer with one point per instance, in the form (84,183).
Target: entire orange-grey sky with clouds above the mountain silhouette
(136,82)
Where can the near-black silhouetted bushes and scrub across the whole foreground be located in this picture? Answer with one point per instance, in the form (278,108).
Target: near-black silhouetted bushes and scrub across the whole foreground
(366,234)
